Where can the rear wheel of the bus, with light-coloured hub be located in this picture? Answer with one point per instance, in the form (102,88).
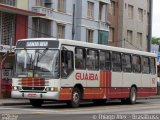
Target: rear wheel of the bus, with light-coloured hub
(132,96)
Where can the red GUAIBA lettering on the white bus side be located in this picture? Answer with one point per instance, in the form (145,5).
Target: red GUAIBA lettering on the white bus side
(86,76)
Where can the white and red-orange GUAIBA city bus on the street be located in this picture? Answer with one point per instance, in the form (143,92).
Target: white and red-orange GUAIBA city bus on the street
(73,71)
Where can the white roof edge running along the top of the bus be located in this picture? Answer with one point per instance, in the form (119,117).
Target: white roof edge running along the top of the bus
(93,45)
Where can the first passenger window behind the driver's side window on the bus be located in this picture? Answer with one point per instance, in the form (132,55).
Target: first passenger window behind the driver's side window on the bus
(80,58)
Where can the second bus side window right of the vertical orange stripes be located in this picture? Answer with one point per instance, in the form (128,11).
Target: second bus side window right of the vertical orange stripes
(126,63)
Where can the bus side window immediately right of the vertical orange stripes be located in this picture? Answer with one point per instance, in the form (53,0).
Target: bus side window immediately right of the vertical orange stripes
(116,62)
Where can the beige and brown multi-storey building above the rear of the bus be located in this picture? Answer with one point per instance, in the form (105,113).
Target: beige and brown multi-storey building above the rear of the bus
(130,22)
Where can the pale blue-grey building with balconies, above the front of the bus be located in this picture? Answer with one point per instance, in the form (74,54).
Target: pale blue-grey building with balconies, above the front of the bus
(84,20)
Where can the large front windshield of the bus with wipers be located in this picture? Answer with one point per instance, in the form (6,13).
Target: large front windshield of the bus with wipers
(37,63)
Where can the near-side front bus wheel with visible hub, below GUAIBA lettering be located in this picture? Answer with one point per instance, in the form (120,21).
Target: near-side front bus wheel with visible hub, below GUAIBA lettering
(75,101)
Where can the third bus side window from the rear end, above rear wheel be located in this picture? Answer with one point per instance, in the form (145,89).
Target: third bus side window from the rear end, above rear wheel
(136,64)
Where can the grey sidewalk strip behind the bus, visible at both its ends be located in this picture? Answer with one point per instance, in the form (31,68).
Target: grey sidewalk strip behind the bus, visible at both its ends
(10,101)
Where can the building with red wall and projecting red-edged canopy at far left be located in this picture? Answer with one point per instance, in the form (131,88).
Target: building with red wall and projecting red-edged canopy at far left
(13,26)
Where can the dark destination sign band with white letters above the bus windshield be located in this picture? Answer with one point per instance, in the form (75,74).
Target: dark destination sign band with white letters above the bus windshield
(38,44)
